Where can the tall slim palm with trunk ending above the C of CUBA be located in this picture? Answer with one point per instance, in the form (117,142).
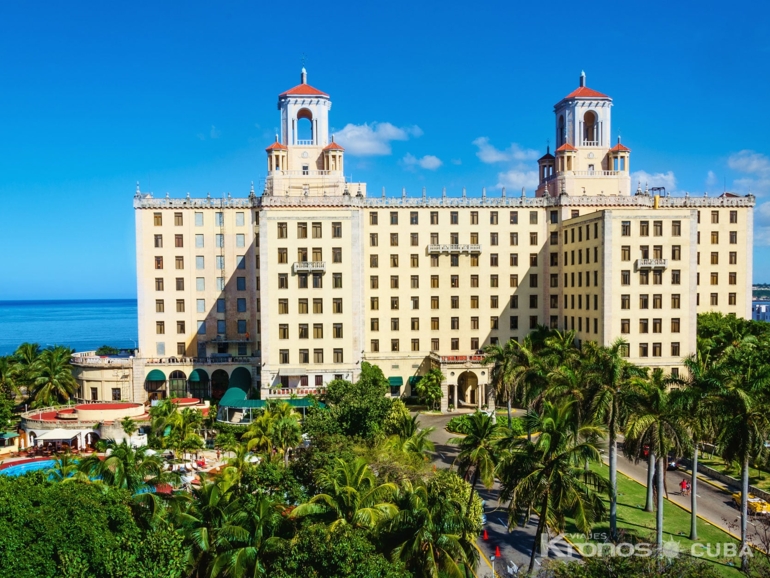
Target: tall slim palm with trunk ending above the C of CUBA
(697,400)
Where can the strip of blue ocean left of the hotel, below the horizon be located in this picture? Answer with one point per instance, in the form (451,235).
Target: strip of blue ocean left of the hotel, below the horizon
(81,324)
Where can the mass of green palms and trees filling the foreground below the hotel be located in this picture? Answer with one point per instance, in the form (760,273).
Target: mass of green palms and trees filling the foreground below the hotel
(350,490)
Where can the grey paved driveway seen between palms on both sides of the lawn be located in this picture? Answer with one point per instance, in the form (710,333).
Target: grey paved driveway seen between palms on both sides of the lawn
(714,505)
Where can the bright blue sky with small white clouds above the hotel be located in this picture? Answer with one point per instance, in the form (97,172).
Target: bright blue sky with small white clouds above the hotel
(182,98)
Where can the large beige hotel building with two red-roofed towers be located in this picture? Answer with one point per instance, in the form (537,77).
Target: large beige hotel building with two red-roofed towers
(302,283)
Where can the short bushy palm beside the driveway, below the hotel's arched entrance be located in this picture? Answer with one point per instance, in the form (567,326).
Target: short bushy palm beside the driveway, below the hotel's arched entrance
(478,451)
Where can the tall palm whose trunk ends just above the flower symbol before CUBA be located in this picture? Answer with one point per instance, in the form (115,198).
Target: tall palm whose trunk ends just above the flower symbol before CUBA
(655,419)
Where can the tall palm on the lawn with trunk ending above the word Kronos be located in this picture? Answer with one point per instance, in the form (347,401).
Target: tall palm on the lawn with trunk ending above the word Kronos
(609,375)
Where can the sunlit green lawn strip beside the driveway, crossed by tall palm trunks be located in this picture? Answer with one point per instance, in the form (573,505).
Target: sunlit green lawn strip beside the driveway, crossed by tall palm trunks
(633,520)
